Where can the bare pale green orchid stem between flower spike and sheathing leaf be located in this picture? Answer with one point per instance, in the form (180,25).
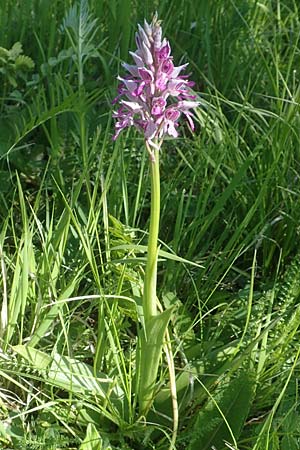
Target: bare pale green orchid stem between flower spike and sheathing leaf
(149,301)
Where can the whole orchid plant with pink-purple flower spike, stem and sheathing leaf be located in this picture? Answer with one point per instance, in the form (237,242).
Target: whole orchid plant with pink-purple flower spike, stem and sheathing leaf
(152,97)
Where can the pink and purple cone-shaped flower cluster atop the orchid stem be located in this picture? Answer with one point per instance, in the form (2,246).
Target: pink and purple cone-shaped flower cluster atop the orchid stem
(153,95)
